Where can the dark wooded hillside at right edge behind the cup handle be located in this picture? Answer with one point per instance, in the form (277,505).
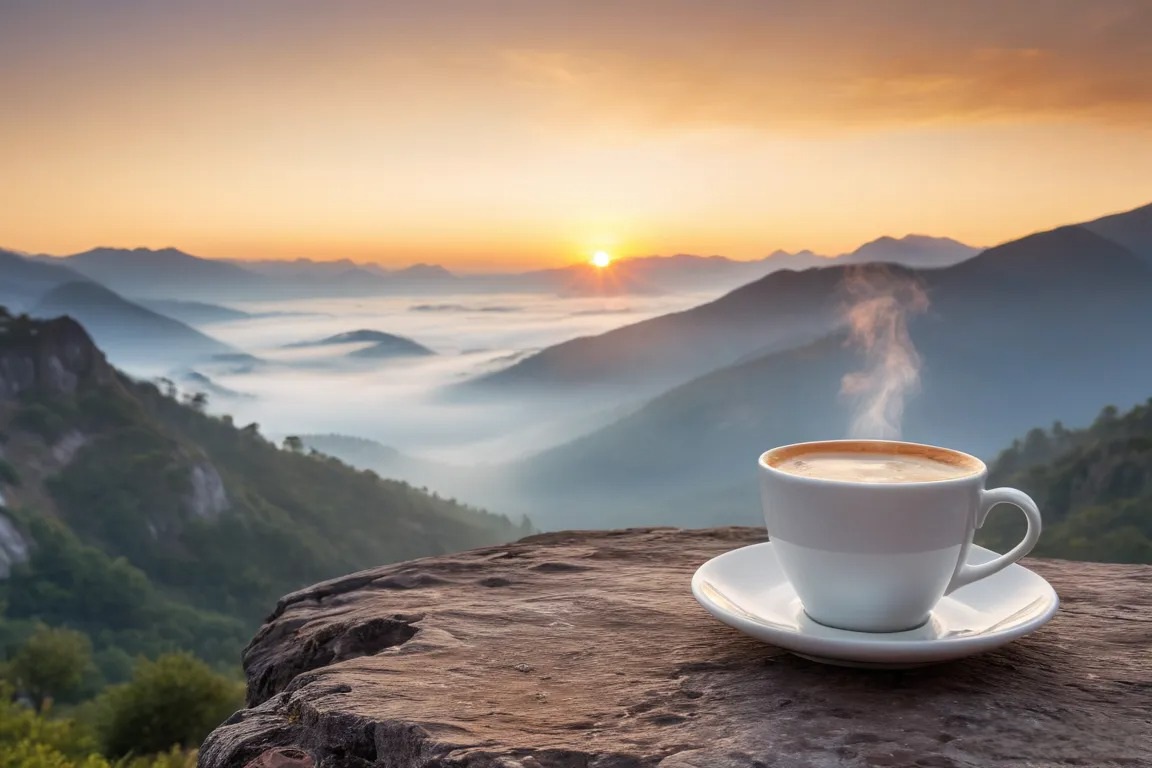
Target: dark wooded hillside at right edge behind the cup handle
(1094,488)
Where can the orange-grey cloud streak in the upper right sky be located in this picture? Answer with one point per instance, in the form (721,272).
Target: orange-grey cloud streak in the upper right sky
(839,66)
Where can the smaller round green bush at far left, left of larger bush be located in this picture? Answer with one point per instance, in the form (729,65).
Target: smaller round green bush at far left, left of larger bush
(51,664)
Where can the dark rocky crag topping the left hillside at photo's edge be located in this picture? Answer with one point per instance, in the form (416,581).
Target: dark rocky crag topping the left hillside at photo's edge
(51,358)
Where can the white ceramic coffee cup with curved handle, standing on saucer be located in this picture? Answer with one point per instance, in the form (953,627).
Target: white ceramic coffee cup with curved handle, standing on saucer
(877,557)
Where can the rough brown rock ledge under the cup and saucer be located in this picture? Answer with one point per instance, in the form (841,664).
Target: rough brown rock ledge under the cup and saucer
(587,651)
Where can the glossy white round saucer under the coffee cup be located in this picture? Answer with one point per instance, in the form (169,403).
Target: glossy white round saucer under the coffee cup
(747,590)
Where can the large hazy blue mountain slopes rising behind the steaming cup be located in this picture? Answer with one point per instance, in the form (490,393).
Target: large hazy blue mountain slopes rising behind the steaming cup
(1048,326)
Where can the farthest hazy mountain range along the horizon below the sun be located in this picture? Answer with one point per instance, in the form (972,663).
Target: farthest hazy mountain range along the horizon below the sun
(171,275)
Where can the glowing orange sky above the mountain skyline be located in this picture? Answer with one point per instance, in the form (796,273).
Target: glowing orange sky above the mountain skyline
(506,134)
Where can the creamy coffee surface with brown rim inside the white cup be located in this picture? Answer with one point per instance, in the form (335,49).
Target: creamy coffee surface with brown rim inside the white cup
(873,468)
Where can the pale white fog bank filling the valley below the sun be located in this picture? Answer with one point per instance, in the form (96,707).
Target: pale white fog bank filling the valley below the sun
(399,402)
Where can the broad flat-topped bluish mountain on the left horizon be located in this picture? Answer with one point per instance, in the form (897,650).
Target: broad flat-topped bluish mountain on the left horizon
(165,273)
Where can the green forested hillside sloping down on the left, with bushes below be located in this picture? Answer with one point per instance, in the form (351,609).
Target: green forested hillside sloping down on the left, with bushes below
(163,533)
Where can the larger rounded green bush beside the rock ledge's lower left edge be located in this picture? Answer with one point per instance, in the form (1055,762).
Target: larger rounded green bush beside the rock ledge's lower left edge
(176,701)
